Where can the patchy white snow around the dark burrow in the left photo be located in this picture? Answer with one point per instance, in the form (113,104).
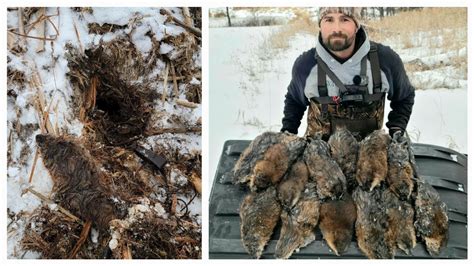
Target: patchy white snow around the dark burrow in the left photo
(51,66)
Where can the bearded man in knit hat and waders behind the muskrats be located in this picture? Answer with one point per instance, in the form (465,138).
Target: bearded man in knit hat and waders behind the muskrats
(344,80)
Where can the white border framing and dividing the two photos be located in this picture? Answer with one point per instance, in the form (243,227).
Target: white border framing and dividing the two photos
(205,122)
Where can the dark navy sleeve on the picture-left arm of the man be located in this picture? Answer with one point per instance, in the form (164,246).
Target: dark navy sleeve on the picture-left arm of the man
(295,101)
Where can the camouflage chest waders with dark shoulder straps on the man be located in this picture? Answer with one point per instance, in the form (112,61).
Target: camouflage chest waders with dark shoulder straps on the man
(354,108)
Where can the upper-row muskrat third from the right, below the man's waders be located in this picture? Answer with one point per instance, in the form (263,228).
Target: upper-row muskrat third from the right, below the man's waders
(345,149)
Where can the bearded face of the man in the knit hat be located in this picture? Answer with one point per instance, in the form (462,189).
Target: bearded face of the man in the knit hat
(338,31)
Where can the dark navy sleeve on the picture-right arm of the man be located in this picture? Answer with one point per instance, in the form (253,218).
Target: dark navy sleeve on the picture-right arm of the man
(401,96)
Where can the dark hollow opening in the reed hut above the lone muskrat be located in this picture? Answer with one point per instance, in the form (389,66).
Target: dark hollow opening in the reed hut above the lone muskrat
(117,106)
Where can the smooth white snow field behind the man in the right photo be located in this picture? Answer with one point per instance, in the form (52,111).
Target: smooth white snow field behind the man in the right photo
(248,81)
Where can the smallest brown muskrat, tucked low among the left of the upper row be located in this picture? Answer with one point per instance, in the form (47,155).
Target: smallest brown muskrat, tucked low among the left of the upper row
(290,189)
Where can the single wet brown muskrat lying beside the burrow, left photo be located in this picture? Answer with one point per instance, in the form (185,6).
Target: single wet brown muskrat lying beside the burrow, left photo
(76,179)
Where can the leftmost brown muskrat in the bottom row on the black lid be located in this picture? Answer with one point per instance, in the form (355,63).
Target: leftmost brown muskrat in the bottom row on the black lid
(259,214)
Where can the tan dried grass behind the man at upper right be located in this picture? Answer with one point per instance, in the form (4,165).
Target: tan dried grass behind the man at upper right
(443,29)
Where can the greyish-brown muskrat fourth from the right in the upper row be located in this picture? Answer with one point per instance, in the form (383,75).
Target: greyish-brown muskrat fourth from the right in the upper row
(327,174)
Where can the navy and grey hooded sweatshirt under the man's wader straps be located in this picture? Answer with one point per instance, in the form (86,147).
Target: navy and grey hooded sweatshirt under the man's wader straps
(304,76)
